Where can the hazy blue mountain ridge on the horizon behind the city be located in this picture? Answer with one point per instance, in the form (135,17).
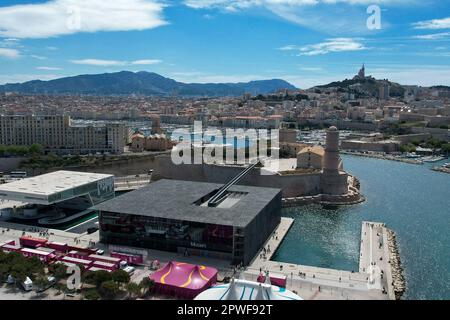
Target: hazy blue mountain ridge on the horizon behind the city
(142,83)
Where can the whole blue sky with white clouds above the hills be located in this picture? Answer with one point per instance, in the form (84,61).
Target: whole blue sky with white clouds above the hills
(305,42)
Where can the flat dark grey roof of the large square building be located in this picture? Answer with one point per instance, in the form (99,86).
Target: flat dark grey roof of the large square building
(173,199)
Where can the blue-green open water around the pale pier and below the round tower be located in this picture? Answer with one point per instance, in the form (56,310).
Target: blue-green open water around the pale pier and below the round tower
(412,200)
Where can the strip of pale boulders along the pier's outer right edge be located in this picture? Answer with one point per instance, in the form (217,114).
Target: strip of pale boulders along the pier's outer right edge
(398,280)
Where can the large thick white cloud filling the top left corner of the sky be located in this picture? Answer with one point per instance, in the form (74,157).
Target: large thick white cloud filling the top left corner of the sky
(64,17)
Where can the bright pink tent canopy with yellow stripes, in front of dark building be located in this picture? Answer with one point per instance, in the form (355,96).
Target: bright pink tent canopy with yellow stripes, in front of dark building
(183,279)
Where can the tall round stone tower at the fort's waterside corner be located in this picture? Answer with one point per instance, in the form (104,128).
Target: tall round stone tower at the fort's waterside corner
(334,179)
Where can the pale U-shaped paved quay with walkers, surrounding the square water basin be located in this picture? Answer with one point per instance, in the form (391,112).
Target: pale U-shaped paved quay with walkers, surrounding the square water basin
(324,284)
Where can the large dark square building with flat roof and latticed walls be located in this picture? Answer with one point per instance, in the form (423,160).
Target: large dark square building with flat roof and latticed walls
(179,216)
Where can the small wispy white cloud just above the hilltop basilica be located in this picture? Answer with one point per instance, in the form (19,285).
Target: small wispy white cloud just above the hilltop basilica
(331,45)
